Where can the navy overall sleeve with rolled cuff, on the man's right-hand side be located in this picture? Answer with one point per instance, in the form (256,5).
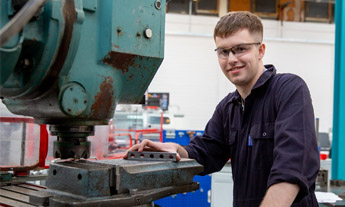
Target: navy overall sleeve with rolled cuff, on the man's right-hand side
(295,155)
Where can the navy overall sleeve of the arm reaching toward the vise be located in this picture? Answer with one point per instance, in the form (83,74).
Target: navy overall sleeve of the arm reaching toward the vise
(211,149)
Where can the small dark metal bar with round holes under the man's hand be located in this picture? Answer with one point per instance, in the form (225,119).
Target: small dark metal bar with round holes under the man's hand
(152,156)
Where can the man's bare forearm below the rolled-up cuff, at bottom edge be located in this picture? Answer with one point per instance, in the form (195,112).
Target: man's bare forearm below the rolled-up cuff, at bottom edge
(280,194)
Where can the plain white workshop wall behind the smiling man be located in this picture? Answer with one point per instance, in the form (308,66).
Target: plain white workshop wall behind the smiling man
(190,70)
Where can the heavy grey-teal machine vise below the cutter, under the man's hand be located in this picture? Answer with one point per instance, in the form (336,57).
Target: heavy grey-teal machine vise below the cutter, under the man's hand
(115,182)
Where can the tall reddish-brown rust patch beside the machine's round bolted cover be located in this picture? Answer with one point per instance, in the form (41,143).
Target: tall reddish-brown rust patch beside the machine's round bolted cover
(102,105)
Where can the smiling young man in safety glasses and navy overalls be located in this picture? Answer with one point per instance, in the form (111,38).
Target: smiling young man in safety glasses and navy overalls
(266,127)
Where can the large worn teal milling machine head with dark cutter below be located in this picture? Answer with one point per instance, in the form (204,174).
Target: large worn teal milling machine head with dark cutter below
(74,61)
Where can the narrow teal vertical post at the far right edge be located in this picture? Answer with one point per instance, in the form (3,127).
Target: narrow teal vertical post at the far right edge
(338,145)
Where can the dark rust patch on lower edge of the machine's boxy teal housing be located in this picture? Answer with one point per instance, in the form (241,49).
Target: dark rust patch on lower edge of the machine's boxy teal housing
(120,61)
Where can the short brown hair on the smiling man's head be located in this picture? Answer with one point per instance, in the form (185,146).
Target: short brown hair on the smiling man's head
(235,21)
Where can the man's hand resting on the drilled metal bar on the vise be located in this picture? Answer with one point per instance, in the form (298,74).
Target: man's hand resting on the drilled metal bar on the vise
(148,145)
